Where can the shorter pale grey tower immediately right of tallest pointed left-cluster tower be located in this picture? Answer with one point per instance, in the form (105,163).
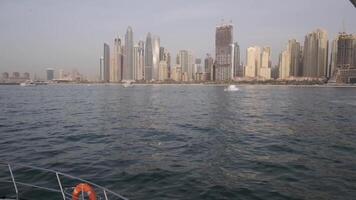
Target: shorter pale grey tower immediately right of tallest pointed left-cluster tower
(138,61)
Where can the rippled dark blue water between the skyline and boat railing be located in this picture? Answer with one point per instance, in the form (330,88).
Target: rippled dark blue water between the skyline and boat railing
(188,142)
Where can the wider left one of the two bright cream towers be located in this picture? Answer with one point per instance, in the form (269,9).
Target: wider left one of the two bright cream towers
(253,62)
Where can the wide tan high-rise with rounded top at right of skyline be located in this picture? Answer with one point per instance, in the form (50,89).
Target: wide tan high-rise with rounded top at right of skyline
(315,58)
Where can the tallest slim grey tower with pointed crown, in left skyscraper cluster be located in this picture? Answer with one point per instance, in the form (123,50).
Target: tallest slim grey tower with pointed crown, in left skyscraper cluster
(128,55)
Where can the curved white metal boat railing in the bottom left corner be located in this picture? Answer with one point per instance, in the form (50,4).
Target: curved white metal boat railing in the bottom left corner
(102,193)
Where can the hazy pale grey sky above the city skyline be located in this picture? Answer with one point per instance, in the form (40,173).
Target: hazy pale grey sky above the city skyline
(70,34)
